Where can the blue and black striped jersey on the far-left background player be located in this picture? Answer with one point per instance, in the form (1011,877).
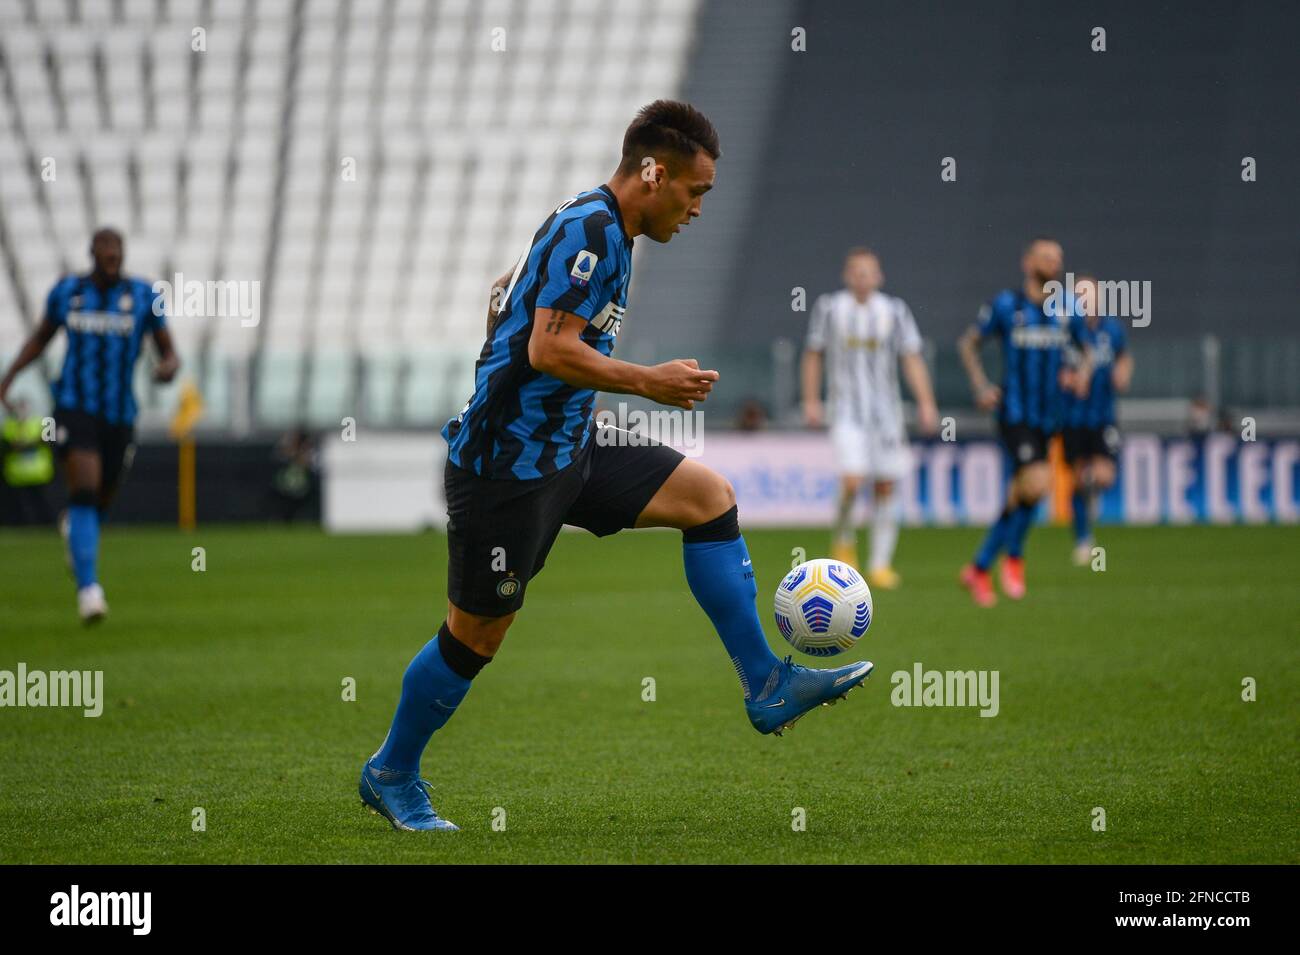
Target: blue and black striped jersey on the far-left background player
(106,329)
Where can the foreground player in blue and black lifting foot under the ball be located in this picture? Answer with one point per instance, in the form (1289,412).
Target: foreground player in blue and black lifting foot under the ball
(525,459)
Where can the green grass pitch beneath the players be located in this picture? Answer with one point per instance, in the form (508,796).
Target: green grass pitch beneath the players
(224,691)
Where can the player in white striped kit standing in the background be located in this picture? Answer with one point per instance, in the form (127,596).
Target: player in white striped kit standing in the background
(863,336)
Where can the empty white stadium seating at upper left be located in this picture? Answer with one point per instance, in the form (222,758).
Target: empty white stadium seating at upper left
(374,166)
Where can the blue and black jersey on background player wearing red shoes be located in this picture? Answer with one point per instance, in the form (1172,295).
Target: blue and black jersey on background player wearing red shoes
(1033,342)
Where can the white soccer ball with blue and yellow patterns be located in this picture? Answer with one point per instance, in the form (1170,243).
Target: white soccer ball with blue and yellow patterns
(824,607)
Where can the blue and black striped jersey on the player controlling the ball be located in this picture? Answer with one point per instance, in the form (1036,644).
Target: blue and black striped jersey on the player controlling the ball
(523,424)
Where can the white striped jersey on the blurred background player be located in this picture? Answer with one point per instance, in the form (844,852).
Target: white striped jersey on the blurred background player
(863,344)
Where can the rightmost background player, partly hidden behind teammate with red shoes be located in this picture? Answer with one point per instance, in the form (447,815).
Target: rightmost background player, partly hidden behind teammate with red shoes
(1091,435)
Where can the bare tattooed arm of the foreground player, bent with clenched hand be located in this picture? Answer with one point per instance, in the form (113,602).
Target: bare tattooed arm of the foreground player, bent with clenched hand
(557,349)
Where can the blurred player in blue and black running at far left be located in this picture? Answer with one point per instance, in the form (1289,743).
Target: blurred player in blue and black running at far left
(106,315)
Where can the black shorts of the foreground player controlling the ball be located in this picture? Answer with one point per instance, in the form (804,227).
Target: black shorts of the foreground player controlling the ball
(500,532)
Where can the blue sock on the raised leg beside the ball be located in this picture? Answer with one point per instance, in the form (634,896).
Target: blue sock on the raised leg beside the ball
(722,580)
